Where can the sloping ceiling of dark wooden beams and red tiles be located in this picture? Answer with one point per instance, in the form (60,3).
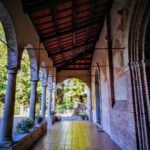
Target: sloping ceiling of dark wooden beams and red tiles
(69,29)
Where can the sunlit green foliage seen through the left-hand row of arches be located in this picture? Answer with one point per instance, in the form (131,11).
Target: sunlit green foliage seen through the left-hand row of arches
(23,77)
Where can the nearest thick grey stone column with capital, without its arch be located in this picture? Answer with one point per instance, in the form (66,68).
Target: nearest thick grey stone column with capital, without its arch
(8,113)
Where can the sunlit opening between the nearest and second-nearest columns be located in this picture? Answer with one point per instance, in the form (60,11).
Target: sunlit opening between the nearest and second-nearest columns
(23,86)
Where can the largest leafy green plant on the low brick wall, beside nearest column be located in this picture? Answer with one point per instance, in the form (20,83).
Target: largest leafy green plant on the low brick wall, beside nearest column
(24,126)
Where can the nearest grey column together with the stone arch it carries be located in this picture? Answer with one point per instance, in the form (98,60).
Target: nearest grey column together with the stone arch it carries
(12,66)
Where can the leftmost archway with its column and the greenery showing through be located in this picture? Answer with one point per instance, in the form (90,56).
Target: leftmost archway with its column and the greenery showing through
(9,58)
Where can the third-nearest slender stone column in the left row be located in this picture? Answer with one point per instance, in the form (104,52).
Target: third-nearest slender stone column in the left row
(43,103)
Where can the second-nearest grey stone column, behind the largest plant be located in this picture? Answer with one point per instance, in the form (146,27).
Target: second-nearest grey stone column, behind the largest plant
(32,99)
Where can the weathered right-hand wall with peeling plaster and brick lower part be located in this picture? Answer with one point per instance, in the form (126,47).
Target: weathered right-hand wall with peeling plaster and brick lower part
(117,111)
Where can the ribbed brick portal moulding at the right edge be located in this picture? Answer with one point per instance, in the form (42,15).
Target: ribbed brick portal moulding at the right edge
(139,72)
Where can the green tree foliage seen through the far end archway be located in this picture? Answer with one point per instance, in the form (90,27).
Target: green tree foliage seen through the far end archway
(69,91)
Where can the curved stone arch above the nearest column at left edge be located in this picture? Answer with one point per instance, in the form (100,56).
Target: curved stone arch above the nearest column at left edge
(10,37)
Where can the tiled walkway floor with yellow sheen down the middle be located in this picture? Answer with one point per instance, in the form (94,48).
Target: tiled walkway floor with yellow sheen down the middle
(75,135)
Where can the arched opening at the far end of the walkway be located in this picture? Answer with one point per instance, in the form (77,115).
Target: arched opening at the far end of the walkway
(72,98)
